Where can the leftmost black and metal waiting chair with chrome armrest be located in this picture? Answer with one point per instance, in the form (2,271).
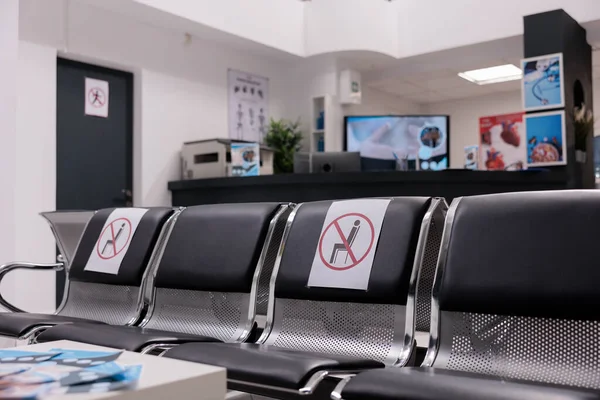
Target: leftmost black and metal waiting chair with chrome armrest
(90,296)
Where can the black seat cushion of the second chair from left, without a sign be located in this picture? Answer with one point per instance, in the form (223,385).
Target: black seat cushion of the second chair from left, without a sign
(121,337)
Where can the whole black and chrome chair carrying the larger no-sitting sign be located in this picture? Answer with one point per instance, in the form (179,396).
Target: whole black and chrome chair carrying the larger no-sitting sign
(316,332)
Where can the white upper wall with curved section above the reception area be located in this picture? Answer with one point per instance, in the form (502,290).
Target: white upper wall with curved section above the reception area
(399,29)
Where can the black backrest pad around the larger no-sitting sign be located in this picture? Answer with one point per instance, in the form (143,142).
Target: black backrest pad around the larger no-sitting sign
(392,265)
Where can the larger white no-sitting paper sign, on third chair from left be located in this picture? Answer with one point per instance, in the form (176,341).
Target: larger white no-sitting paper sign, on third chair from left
(346,247)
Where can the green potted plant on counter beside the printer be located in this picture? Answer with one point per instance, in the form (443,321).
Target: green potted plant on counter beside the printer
(285,138)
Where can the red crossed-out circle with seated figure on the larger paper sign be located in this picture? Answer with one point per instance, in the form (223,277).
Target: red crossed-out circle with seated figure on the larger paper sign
(335,231)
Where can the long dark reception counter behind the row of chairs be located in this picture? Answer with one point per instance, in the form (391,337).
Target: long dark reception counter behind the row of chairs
(299,188)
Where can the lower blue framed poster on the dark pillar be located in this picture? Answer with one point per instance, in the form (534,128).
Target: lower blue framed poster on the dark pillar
(546,139)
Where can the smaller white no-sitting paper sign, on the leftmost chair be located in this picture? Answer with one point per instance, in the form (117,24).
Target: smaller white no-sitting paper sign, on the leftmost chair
(114,240)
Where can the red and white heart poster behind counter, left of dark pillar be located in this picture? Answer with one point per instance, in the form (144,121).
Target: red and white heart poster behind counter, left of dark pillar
(502,144)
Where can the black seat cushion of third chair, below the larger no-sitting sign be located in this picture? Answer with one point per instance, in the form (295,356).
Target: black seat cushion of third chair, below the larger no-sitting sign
(267,365)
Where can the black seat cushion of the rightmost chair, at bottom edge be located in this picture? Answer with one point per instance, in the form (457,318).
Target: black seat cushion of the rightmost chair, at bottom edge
(439,384)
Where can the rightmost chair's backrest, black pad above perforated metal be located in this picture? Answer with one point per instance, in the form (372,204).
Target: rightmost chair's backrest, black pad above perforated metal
(516,292)
